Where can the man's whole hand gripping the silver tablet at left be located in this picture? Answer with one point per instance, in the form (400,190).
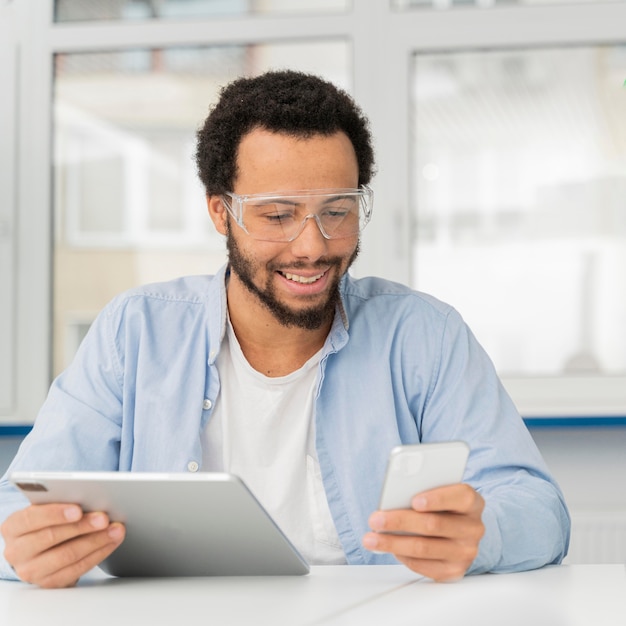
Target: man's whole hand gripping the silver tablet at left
(53,545)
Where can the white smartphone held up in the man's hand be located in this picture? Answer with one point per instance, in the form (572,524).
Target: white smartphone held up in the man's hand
(415,468)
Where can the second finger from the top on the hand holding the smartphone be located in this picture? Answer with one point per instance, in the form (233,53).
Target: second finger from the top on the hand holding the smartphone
(446,525)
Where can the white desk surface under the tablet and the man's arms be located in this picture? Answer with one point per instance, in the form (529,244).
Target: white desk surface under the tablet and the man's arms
(585,595)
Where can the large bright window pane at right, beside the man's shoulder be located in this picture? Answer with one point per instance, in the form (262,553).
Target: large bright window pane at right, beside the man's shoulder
(519,187)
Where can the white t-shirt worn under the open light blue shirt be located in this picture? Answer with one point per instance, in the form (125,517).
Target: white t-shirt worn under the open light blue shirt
(262,429)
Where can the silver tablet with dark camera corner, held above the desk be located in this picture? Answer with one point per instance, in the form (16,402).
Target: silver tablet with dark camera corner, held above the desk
(205,524)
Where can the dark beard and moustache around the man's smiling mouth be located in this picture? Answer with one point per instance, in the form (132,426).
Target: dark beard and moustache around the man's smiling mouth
(307,318)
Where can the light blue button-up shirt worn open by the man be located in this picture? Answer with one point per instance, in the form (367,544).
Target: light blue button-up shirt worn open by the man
(398,366)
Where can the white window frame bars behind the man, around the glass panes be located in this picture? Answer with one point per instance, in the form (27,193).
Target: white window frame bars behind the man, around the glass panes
(383,43)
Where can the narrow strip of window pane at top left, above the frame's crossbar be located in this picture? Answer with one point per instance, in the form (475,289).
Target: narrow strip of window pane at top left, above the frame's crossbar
(84,10)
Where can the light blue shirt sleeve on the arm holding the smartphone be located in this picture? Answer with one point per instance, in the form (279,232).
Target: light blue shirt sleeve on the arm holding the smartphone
(526,520)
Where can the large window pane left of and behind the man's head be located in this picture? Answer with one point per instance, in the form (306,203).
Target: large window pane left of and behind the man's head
(128,206)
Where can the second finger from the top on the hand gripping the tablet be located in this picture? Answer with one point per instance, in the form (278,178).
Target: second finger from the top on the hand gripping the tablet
(27,546)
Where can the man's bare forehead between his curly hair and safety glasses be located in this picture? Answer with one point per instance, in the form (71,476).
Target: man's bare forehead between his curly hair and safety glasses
(269,161)
